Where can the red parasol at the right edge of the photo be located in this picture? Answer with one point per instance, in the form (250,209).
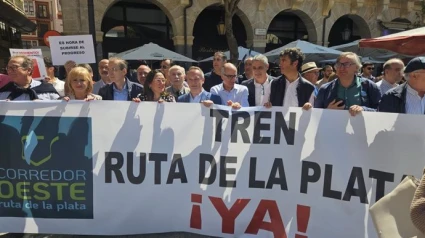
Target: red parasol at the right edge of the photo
(411,42)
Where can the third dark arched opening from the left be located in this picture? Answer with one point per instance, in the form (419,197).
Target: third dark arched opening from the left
(288,26)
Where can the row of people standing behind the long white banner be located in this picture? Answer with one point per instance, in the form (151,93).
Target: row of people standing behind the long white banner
(400,89)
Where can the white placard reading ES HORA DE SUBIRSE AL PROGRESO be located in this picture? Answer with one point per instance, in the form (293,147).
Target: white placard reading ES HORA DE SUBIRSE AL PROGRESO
(78,48)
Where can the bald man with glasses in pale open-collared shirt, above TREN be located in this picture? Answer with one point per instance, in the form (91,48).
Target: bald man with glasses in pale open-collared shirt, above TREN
(231,94)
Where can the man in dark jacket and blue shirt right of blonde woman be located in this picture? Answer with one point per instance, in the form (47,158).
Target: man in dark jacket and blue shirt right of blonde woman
(121,89)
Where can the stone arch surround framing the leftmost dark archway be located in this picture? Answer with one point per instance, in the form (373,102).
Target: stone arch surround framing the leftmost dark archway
(102,7)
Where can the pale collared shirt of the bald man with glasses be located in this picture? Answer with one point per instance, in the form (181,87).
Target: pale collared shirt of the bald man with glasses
(239,94)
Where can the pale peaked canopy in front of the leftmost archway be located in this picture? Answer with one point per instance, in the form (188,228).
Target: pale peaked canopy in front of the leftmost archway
(152,51)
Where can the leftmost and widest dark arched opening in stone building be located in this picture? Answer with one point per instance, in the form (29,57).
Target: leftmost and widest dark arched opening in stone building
(130,24)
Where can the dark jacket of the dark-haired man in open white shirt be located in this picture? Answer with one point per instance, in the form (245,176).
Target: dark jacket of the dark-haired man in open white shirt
(277,93)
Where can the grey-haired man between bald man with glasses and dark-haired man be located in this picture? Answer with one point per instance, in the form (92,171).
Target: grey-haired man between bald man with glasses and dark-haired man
(259,86)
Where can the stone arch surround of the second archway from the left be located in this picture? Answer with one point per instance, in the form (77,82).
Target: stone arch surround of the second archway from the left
(199,6)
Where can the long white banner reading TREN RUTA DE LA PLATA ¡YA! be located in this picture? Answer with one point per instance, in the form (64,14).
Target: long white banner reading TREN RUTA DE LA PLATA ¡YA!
(154,168)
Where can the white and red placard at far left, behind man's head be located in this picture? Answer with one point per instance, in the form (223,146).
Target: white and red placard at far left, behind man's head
(39,69)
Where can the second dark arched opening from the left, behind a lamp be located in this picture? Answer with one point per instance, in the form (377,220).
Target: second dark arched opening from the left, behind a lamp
(209,35)
